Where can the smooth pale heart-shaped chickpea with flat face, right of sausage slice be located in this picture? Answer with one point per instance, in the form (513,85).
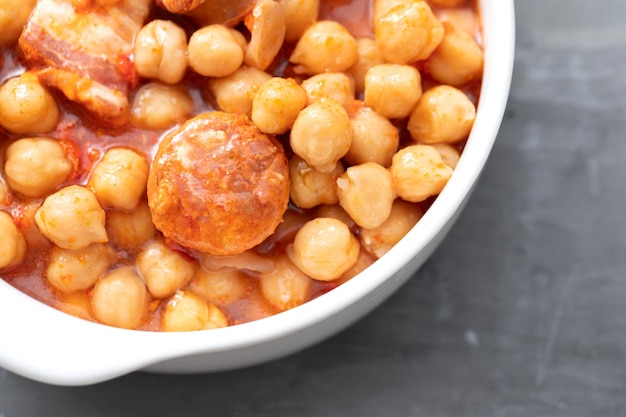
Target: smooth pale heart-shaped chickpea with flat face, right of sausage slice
(366,193)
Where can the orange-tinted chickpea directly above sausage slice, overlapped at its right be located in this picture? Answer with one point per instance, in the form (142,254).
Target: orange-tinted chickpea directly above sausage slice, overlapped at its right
(235,92)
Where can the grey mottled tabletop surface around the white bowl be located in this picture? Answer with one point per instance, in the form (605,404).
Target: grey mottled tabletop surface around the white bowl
(521,311)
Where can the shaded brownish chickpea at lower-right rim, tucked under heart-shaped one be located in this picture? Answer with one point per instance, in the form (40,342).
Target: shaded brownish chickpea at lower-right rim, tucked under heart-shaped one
(381,239)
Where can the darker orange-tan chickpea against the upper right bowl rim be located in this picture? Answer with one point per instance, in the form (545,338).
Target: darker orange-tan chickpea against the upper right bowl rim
(457,60)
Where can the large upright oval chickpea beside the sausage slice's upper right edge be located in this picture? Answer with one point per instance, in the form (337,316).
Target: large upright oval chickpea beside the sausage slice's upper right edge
(321,134)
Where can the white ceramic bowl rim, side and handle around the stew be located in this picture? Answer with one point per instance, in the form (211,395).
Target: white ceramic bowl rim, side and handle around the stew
(43,344)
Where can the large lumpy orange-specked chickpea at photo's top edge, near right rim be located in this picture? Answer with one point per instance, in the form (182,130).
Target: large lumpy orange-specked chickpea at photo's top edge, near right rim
(409,20)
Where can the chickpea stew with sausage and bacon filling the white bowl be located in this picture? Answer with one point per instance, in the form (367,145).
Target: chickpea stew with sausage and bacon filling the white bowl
(187,165)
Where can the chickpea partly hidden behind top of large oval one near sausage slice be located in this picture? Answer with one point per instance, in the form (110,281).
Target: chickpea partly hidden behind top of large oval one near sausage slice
(336,85)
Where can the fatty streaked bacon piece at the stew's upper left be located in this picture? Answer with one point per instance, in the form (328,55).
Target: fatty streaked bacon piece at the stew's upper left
(83,48)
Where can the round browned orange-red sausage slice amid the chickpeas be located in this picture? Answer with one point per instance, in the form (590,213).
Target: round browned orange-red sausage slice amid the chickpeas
(218,184)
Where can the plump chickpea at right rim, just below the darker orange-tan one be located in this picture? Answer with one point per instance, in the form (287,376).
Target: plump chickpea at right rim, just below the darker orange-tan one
(443,114)
